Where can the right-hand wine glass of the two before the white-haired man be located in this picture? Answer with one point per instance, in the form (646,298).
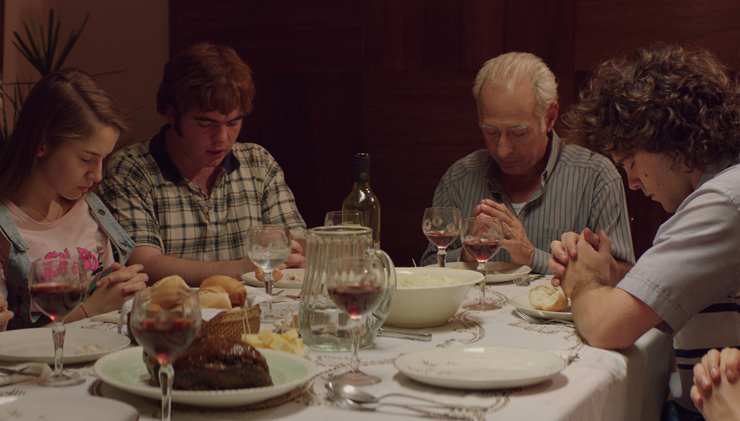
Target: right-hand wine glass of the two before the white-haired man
(482,237)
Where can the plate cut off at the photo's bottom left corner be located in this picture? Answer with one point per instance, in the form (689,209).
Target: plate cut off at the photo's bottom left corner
(65,408)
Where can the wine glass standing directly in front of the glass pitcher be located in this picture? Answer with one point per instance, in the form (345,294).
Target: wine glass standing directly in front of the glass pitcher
(356,285)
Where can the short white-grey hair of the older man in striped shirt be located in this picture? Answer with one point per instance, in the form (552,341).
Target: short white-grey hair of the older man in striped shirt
(507,69)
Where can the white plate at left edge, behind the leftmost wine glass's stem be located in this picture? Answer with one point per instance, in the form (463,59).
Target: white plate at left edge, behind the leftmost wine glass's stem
(37,345)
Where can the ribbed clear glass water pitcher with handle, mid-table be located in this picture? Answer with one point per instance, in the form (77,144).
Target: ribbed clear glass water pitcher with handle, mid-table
(323,325)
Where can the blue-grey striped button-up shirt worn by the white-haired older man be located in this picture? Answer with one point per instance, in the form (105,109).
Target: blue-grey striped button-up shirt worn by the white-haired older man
(579,189)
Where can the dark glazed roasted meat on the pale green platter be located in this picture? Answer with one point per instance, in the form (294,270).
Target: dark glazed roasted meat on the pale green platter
(216,363)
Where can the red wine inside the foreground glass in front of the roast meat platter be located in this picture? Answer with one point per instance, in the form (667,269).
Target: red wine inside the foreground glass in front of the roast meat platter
(165,339)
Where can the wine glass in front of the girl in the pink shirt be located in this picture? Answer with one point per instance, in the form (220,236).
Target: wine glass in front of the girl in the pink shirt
(57,286)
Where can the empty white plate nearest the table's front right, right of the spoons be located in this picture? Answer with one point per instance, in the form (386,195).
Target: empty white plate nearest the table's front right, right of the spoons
(480,367)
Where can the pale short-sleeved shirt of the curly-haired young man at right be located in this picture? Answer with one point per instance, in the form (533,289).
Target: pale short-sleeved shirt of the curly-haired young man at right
(691,275)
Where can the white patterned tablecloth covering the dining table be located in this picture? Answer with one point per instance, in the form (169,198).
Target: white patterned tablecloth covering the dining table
(596,384)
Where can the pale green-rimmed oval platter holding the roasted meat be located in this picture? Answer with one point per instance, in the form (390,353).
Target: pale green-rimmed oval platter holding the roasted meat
(126,370)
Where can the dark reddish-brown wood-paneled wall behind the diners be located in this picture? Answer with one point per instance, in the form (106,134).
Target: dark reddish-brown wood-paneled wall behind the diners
(393,78)
